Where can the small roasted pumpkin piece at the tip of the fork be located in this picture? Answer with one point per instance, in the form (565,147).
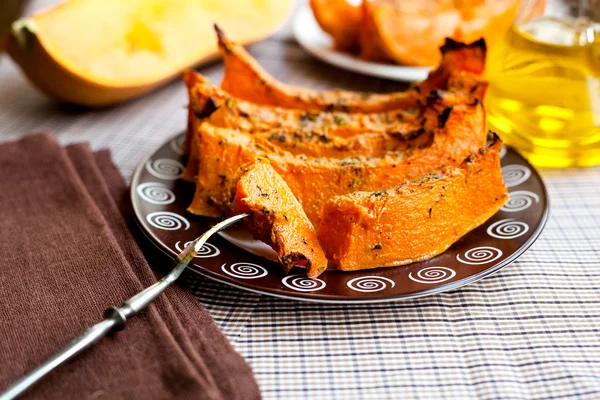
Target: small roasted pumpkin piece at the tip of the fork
(277,218)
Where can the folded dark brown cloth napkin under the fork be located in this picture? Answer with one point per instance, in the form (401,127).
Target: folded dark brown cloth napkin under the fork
(66,254)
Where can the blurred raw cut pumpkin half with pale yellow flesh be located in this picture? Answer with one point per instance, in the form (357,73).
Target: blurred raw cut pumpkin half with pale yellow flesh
(74,55)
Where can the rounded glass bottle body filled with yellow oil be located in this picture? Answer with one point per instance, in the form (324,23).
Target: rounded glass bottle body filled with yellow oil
(544,95)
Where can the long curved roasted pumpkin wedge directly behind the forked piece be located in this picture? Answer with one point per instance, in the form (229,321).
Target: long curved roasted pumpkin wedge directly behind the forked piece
(456,131)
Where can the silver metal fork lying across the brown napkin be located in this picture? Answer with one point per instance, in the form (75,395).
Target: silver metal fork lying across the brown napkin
(116,317)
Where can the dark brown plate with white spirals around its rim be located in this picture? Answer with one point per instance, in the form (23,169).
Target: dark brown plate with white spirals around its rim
(160,199)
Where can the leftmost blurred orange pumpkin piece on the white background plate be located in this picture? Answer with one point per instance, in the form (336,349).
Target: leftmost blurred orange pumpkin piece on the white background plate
(340,20)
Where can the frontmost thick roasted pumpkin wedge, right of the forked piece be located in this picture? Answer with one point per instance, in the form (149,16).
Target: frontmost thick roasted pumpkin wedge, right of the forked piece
(416,220)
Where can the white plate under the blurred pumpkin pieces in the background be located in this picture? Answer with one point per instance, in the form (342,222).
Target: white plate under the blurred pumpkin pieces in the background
(312,38)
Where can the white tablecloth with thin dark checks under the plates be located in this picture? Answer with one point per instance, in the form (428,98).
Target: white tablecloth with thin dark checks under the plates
(531,331)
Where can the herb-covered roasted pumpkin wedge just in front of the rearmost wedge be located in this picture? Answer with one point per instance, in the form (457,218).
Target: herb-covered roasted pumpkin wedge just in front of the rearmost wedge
(325,134)
